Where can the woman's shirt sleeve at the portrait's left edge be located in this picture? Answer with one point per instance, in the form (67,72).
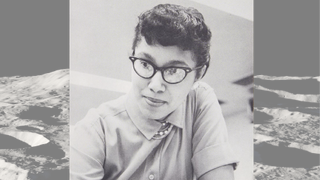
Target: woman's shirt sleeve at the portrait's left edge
(87,150)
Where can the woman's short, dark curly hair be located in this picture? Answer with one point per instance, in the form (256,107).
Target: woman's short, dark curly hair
(175,25)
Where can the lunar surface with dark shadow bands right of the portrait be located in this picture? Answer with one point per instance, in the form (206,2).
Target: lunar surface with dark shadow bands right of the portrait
(286,117)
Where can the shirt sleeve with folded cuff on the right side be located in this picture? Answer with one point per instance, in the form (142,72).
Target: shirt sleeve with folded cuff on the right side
(211,148)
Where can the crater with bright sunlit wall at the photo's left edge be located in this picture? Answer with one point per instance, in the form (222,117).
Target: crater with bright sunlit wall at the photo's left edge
(19,139)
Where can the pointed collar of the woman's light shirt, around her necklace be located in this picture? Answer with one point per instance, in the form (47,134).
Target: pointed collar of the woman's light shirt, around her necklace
(150,127)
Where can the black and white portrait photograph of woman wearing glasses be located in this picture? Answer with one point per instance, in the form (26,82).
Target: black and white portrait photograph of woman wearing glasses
(160,90)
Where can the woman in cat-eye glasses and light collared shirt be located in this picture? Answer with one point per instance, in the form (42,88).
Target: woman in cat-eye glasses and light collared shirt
(170,125)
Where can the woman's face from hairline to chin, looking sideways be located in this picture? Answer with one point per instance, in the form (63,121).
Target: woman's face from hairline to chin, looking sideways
(155,98)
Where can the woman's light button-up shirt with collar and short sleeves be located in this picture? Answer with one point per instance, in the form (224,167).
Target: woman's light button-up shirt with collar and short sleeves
(112,143)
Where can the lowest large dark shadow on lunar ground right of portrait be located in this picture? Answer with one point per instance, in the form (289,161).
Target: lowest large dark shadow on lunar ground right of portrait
(284,156)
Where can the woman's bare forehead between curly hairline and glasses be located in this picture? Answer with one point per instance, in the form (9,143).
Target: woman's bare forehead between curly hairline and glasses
(164,55)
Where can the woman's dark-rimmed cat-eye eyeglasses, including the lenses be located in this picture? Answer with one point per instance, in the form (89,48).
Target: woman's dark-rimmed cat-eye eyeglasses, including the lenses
(171,75)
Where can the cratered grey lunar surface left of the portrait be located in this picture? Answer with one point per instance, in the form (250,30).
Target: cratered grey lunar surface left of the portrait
(34,131)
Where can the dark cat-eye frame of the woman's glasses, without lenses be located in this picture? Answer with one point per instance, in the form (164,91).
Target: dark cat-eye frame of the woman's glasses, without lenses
(156,68)
